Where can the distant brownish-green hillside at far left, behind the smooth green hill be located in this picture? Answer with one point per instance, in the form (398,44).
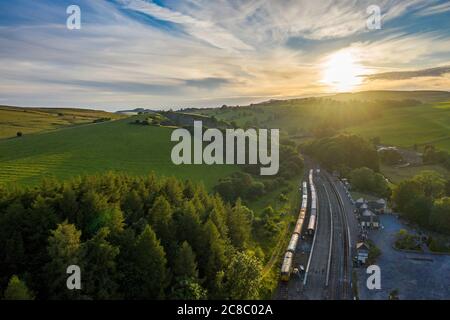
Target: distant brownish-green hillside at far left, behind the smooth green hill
(32,120)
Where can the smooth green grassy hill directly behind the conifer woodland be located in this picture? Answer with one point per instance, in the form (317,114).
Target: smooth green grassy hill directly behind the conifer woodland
(108,146)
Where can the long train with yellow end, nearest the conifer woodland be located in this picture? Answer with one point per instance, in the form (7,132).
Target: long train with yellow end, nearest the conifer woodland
(288,260)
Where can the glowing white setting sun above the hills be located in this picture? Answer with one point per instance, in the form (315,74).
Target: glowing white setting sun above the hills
(341,72)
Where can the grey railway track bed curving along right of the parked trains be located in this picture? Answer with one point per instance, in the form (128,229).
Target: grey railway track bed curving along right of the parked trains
(328,269)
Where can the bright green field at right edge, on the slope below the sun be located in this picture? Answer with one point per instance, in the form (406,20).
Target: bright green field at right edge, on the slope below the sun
(406,126)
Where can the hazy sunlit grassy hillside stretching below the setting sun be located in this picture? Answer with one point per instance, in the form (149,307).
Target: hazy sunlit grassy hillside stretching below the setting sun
(417,119)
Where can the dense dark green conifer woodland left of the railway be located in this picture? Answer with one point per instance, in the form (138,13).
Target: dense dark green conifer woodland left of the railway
(133,237)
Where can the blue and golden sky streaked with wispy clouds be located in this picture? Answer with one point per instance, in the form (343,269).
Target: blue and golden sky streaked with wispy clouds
(201,53)
